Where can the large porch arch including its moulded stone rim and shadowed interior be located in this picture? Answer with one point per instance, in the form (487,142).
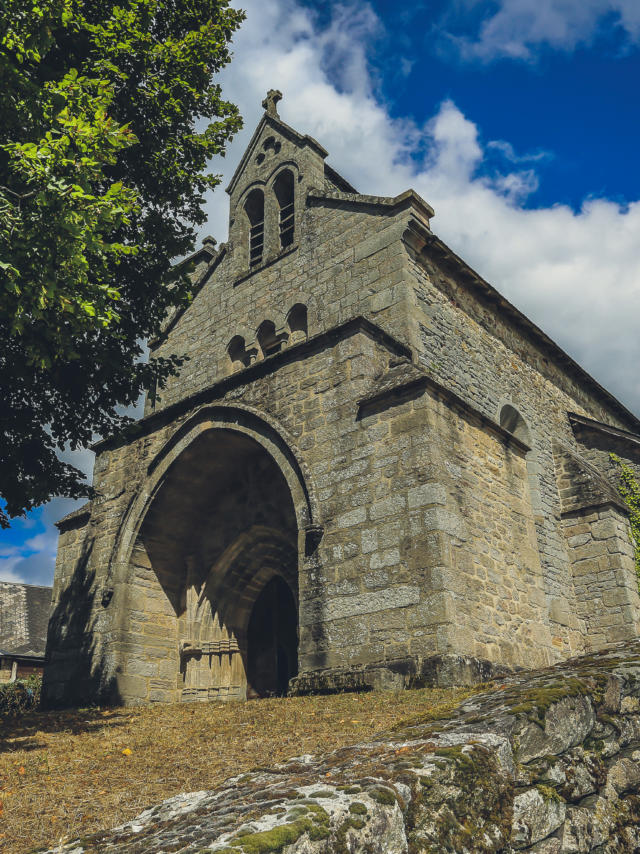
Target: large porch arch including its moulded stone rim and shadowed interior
(196,563)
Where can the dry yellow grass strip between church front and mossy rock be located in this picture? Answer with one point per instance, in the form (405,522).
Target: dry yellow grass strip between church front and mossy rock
(67,774)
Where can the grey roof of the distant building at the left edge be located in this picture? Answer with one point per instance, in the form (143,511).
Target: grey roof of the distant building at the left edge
(24,616)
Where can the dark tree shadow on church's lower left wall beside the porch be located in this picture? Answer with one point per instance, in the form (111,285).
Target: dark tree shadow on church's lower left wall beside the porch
(74,673)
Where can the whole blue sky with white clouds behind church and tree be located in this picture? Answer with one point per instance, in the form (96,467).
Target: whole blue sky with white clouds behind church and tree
(517,120)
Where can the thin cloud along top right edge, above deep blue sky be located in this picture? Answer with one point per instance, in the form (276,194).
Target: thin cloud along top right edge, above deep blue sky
(517,29)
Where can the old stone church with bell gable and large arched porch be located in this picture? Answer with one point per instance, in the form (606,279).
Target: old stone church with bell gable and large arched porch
(371,471)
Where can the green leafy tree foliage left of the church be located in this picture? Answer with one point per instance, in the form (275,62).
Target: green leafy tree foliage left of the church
(108,115)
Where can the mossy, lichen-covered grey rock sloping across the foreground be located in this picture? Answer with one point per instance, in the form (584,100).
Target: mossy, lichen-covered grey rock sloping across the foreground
(545,762)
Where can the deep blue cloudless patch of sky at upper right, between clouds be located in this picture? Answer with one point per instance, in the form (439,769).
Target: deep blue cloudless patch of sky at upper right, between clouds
(578,109)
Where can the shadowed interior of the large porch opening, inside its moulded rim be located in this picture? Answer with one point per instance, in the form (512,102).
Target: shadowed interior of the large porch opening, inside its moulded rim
(221,527)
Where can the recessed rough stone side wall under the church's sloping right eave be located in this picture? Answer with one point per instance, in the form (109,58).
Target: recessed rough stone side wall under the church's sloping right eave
(475,346)
